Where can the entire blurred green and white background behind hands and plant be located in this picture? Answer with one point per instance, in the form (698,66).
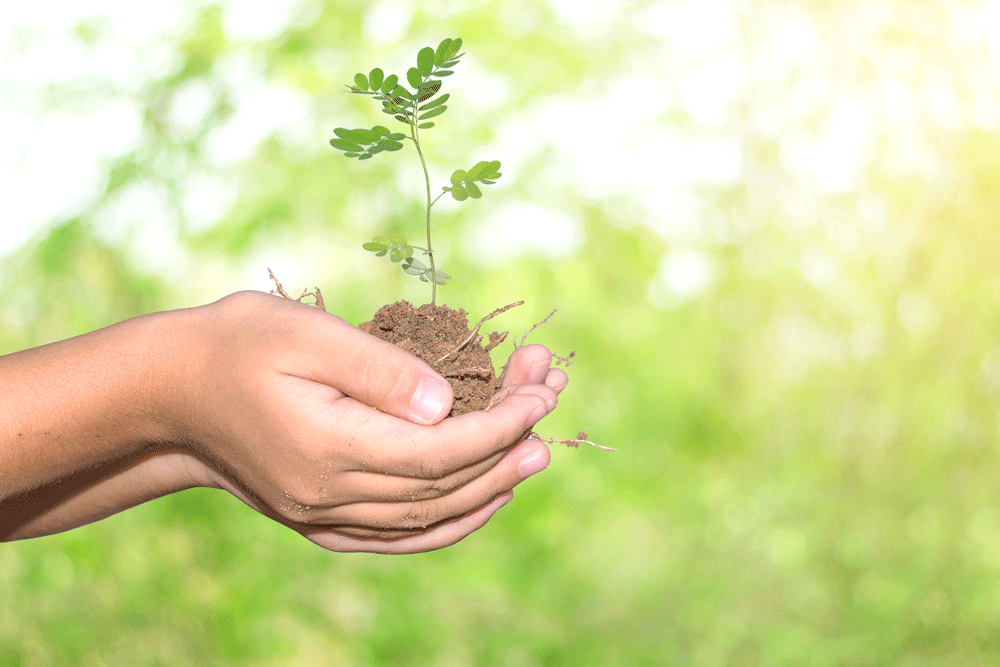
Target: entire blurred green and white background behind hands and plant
(771,233)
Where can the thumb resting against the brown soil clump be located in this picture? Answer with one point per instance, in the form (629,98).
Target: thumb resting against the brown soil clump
(379,374)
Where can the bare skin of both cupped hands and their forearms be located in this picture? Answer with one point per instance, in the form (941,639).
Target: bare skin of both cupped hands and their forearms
(300,415)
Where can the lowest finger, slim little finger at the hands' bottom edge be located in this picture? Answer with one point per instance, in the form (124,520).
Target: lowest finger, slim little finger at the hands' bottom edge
(441,536)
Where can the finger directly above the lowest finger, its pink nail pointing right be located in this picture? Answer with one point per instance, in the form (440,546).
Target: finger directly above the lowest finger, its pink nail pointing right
(528,458)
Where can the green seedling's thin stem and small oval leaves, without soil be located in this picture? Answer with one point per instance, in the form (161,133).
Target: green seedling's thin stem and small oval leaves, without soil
(414,109)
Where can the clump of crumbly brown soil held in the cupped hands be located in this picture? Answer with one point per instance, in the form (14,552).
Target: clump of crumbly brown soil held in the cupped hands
(442,338)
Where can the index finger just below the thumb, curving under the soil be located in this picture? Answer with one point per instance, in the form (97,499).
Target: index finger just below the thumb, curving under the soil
(384,444)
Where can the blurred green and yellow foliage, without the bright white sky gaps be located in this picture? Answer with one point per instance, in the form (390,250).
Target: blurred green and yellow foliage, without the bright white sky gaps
(808,443)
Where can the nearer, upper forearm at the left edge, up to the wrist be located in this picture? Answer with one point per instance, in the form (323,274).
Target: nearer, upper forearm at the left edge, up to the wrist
(80,403)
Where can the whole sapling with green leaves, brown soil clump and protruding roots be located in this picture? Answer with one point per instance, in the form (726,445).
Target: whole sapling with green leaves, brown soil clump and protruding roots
(437,334)
